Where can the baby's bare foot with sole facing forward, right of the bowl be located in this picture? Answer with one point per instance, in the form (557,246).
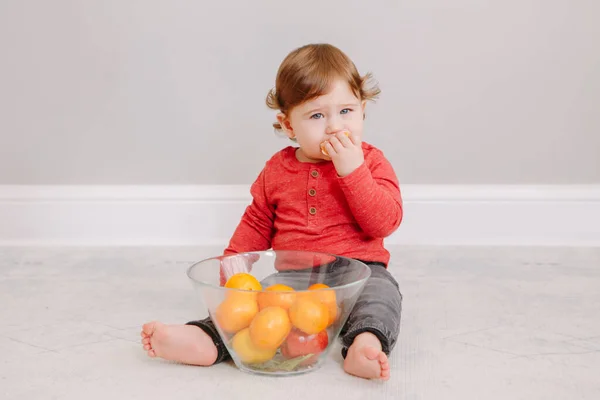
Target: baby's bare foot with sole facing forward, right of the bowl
(365,358)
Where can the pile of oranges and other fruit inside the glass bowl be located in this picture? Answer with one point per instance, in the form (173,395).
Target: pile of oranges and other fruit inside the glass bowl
(277,318)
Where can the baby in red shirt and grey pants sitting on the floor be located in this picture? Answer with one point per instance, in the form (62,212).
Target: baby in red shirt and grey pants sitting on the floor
(330,193)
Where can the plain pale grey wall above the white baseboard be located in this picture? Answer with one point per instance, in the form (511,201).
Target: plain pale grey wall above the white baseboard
(172,92)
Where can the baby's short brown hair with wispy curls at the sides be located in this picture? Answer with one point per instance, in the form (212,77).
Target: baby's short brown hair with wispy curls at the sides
(308,72)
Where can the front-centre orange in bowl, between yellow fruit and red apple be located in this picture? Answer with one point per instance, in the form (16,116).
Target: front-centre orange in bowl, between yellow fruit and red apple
(270,327)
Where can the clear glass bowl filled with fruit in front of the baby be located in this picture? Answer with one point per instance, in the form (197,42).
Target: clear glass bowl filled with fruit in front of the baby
(279,312)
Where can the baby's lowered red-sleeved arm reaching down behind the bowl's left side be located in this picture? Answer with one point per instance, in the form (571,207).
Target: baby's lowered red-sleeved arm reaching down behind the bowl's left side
(255,229)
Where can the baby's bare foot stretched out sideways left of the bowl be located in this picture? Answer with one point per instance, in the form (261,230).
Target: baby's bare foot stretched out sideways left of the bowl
(186,344)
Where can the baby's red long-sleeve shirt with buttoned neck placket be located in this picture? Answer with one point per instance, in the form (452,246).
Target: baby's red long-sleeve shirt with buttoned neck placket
(304,206)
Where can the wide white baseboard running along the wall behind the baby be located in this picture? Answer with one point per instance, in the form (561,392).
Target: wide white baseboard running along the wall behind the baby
(564,215)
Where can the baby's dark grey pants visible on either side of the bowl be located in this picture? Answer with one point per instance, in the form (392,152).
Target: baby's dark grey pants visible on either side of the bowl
(377,310)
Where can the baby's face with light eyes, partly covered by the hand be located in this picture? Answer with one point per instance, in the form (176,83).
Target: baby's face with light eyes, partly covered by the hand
(316,120)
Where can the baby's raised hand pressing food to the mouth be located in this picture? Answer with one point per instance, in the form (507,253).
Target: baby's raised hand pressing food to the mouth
(345,153)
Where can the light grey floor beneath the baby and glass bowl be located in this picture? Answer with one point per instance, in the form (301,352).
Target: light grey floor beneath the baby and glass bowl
(478,323)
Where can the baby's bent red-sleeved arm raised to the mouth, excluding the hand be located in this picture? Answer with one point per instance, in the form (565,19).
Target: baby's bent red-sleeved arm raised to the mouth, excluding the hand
(373,194)
